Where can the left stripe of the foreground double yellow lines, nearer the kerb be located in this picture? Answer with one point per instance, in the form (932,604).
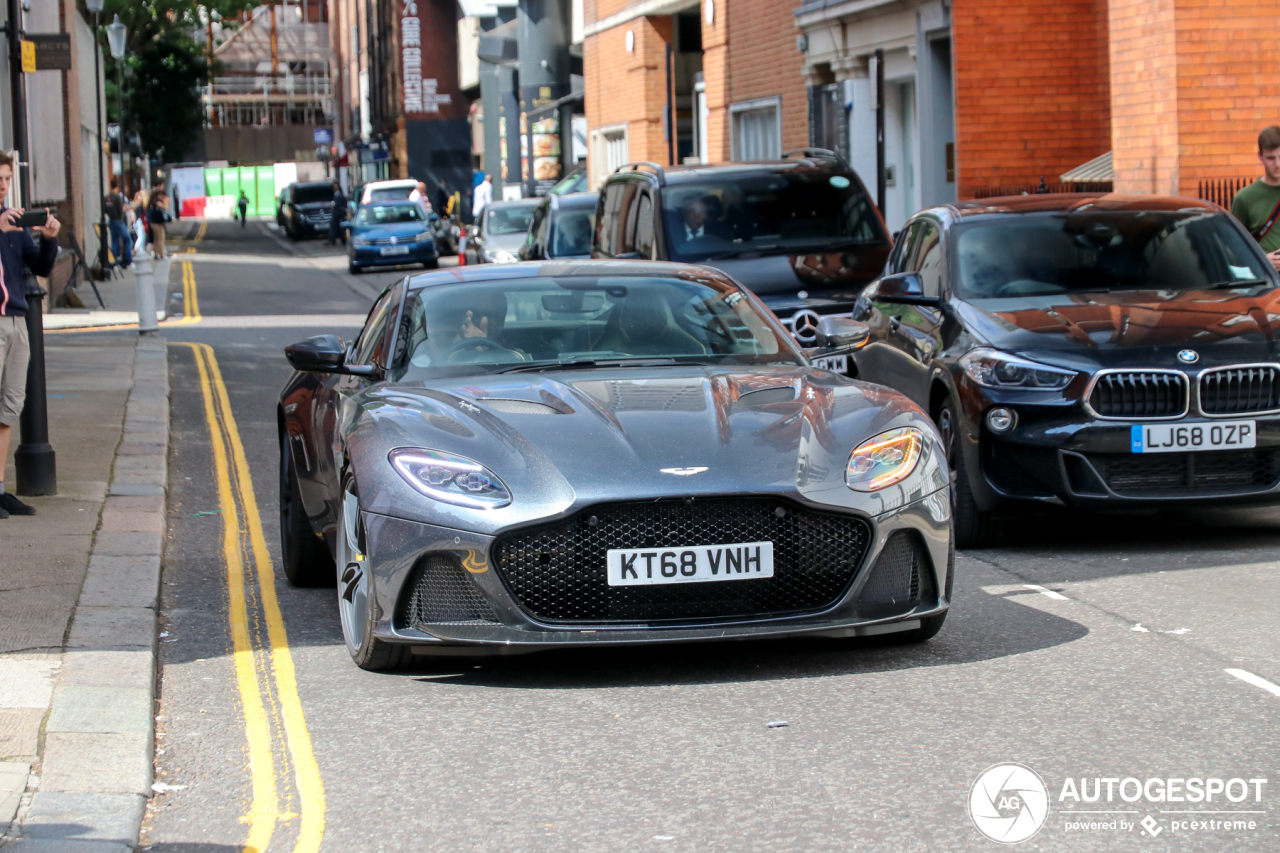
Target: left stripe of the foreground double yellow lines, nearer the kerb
(263,811)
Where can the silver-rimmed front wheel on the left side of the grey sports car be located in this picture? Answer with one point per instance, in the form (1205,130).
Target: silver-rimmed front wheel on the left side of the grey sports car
(356,606)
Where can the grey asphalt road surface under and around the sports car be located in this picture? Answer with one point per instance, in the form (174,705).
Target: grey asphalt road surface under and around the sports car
(1087,647)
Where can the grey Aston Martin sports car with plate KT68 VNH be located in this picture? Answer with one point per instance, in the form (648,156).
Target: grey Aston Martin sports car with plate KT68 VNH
(610,453)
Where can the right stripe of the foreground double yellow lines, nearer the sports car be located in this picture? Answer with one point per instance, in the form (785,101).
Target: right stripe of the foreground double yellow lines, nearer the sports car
(308,772)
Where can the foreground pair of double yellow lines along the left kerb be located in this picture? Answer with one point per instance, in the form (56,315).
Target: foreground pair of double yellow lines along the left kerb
(266,677)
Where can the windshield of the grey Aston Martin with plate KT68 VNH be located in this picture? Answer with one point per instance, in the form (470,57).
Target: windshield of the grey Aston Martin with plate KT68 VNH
(543,323)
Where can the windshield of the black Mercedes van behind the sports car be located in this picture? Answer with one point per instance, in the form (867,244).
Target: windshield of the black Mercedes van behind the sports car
(761,213)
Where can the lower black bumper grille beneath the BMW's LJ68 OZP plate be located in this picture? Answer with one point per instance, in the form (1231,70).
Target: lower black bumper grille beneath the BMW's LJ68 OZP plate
(1188,473)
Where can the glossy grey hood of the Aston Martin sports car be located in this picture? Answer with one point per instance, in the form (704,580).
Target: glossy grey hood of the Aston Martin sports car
(566,440)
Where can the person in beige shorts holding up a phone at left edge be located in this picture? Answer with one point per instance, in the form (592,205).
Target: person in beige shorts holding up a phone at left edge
(17,250)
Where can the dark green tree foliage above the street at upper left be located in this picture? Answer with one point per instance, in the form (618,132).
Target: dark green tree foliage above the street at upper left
(163,69)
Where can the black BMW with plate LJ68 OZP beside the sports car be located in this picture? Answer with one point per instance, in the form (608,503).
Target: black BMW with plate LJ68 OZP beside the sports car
(1092,350)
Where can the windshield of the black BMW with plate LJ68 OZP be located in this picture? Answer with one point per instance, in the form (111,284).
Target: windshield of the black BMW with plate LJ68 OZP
(1100,250)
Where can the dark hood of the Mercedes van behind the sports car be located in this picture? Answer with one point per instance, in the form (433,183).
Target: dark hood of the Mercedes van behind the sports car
(779,279)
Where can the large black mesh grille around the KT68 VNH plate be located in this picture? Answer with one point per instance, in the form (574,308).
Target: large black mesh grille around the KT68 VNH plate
(557,573)
